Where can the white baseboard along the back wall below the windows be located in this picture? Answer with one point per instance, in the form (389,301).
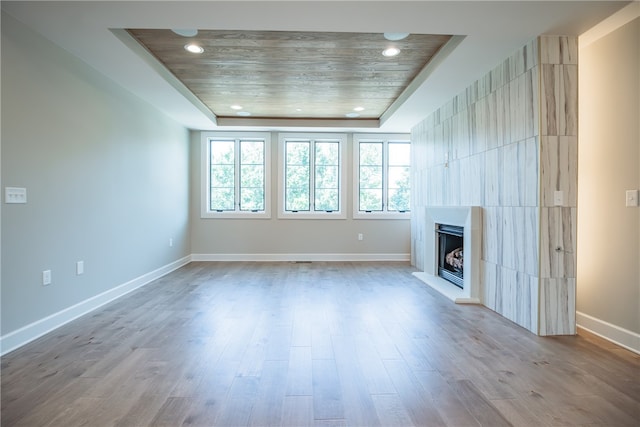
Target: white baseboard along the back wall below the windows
(300,257)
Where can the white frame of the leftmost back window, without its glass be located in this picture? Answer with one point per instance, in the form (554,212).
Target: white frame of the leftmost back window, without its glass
(205,212)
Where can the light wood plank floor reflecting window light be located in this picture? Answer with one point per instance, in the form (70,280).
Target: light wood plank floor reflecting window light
(298,344)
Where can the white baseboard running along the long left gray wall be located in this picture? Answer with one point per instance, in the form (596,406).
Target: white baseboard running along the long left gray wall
(26,334)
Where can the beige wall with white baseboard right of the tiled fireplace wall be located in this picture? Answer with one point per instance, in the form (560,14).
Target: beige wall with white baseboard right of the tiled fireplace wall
(608,275)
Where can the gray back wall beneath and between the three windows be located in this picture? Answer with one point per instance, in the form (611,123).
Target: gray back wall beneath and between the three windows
(276,238)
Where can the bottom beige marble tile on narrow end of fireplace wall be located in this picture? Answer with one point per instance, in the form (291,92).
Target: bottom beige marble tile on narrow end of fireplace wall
(557,307)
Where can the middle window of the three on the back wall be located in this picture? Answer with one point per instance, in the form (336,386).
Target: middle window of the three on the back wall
(311,175)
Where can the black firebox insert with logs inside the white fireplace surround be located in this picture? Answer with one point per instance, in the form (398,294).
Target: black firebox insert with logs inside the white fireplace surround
(450,255)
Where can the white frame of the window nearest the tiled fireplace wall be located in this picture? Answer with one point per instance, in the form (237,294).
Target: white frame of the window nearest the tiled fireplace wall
(385,139)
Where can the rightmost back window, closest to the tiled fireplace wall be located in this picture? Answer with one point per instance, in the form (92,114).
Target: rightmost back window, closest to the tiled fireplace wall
(381,182)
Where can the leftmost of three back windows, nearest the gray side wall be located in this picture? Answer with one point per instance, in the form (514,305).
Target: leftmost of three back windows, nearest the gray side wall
(236,172)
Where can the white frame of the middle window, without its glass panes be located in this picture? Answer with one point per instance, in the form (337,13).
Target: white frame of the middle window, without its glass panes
(342,179)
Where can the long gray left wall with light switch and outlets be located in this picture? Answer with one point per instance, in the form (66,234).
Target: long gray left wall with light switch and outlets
(106,176)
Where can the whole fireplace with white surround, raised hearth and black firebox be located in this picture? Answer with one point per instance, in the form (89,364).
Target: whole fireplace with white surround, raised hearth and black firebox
(461,229)
